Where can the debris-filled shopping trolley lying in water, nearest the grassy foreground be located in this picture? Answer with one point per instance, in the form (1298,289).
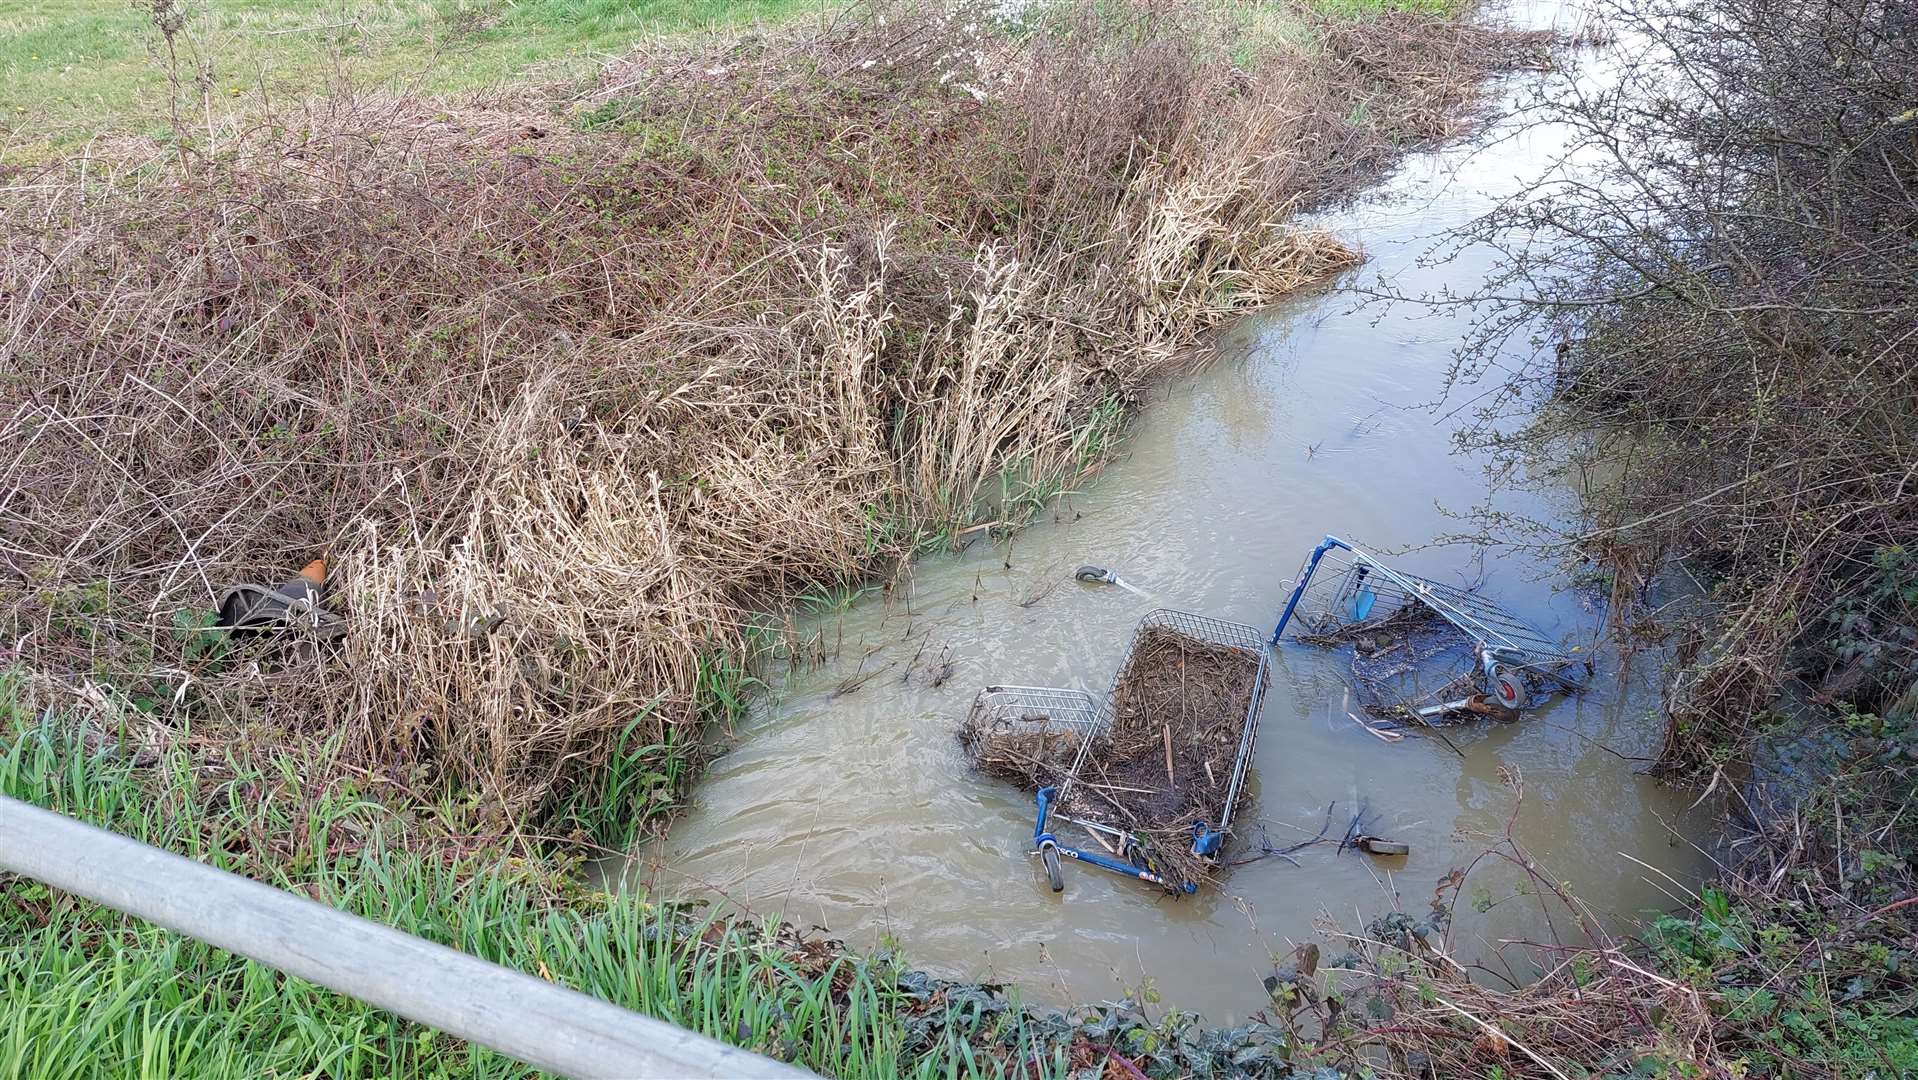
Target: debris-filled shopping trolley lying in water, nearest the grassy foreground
(1071,745)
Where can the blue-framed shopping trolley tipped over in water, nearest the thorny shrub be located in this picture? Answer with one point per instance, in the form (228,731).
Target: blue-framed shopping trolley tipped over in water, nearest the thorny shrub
(1345,596)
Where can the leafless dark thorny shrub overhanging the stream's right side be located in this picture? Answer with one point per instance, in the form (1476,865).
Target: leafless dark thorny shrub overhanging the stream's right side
(1739,337)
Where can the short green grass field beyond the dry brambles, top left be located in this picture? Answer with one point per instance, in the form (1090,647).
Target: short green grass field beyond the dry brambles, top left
(72,70)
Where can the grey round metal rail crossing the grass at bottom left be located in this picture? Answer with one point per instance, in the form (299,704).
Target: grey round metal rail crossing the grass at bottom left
(486,1004)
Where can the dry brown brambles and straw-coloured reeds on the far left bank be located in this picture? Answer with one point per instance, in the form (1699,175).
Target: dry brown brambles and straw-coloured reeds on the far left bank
(569,390)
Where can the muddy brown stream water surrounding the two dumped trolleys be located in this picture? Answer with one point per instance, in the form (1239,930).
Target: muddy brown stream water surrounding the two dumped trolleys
(849,805)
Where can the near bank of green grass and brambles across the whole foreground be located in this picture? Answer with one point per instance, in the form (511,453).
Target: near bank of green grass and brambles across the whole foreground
(1766,979)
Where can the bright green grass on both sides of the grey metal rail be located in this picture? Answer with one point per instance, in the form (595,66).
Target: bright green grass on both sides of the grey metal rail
(87,993)
